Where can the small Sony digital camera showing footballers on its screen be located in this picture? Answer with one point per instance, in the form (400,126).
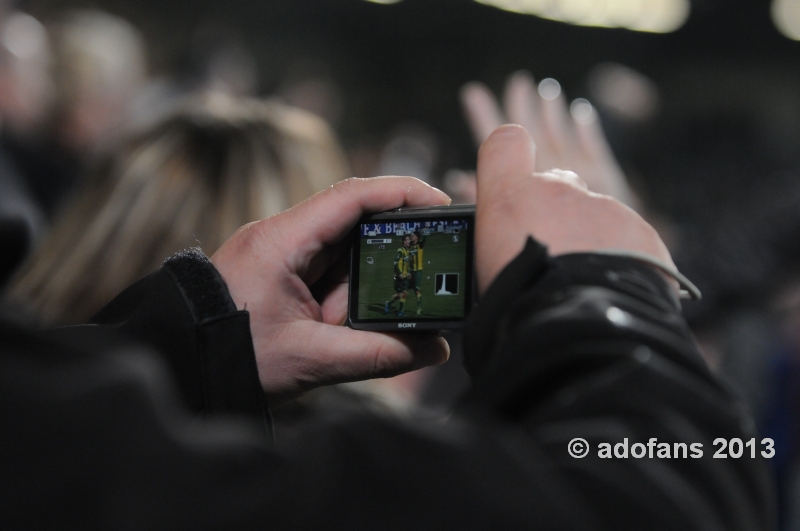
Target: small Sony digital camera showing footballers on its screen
(412,271)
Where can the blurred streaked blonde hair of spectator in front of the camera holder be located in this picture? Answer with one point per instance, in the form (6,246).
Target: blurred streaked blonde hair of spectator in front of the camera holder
(193,179)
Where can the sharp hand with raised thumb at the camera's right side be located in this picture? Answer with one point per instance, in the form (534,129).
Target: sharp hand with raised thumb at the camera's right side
(555,207)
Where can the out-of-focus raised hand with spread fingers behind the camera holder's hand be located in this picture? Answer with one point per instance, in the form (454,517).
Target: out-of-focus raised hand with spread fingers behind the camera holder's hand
(564,139)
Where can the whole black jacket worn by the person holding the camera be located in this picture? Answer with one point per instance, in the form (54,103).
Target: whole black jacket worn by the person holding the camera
(153,418)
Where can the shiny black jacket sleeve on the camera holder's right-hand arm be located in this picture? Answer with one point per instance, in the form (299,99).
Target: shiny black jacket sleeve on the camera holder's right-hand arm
(594,347)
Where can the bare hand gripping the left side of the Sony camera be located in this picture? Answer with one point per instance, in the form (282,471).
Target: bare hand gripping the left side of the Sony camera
(290,272)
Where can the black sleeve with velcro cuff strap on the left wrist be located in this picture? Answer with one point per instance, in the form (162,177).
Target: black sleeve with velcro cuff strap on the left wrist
(184,311)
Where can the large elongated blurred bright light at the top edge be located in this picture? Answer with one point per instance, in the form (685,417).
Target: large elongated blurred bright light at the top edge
(655,16)
